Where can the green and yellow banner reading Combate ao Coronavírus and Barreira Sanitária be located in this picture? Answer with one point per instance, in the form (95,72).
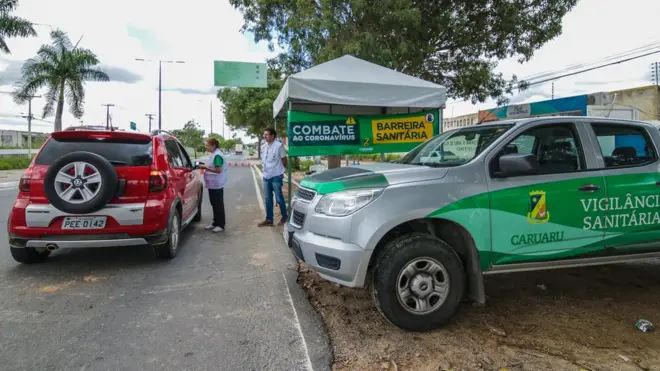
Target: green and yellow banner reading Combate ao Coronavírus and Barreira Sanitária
(316,134)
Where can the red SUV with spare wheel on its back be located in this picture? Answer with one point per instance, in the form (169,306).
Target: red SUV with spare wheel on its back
(98,188)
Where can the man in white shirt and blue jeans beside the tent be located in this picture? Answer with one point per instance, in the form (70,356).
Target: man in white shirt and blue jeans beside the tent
(273,162)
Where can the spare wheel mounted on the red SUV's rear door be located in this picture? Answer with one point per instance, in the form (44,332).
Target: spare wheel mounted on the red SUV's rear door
(80,183)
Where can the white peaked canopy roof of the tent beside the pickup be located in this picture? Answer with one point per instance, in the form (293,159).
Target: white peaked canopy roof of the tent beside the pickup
(350,81)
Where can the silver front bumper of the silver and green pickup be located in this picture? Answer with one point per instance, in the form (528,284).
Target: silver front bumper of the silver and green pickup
(334,260)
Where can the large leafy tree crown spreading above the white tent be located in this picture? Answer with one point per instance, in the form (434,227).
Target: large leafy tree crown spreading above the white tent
(455,43)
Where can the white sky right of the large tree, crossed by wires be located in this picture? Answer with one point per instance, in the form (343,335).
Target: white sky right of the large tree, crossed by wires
(595,29)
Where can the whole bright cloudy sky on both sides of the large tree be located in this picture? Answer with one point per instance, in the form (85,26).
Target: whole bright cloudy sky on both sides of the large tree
(207,30)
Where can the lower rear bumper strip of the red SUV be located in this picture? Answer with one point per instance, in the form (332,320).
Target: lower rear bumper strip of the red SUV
(88,241)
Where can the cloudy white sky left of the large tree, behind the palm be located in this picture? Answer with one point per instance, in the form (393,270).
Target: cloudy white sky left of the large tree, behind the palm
(197,32)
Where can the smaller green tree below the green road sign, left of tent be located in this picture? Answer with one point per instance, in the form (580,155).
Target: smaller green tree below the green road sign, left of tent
(251,109)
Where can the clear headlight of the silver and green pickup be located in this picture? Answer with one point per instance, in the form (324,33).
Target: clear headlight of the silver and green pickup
(345,203)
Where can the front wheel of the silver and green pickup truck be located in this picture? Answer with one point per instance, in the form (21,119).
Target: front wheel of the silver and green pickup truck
(418,282)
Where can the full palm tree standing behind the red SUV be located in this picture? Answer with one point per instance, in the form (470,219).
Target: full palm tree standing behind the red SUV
(62,69)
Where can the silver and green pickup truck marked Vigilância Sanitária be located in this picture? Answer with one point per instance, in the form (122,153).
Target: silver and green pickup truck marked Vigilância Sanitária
(512,196)
